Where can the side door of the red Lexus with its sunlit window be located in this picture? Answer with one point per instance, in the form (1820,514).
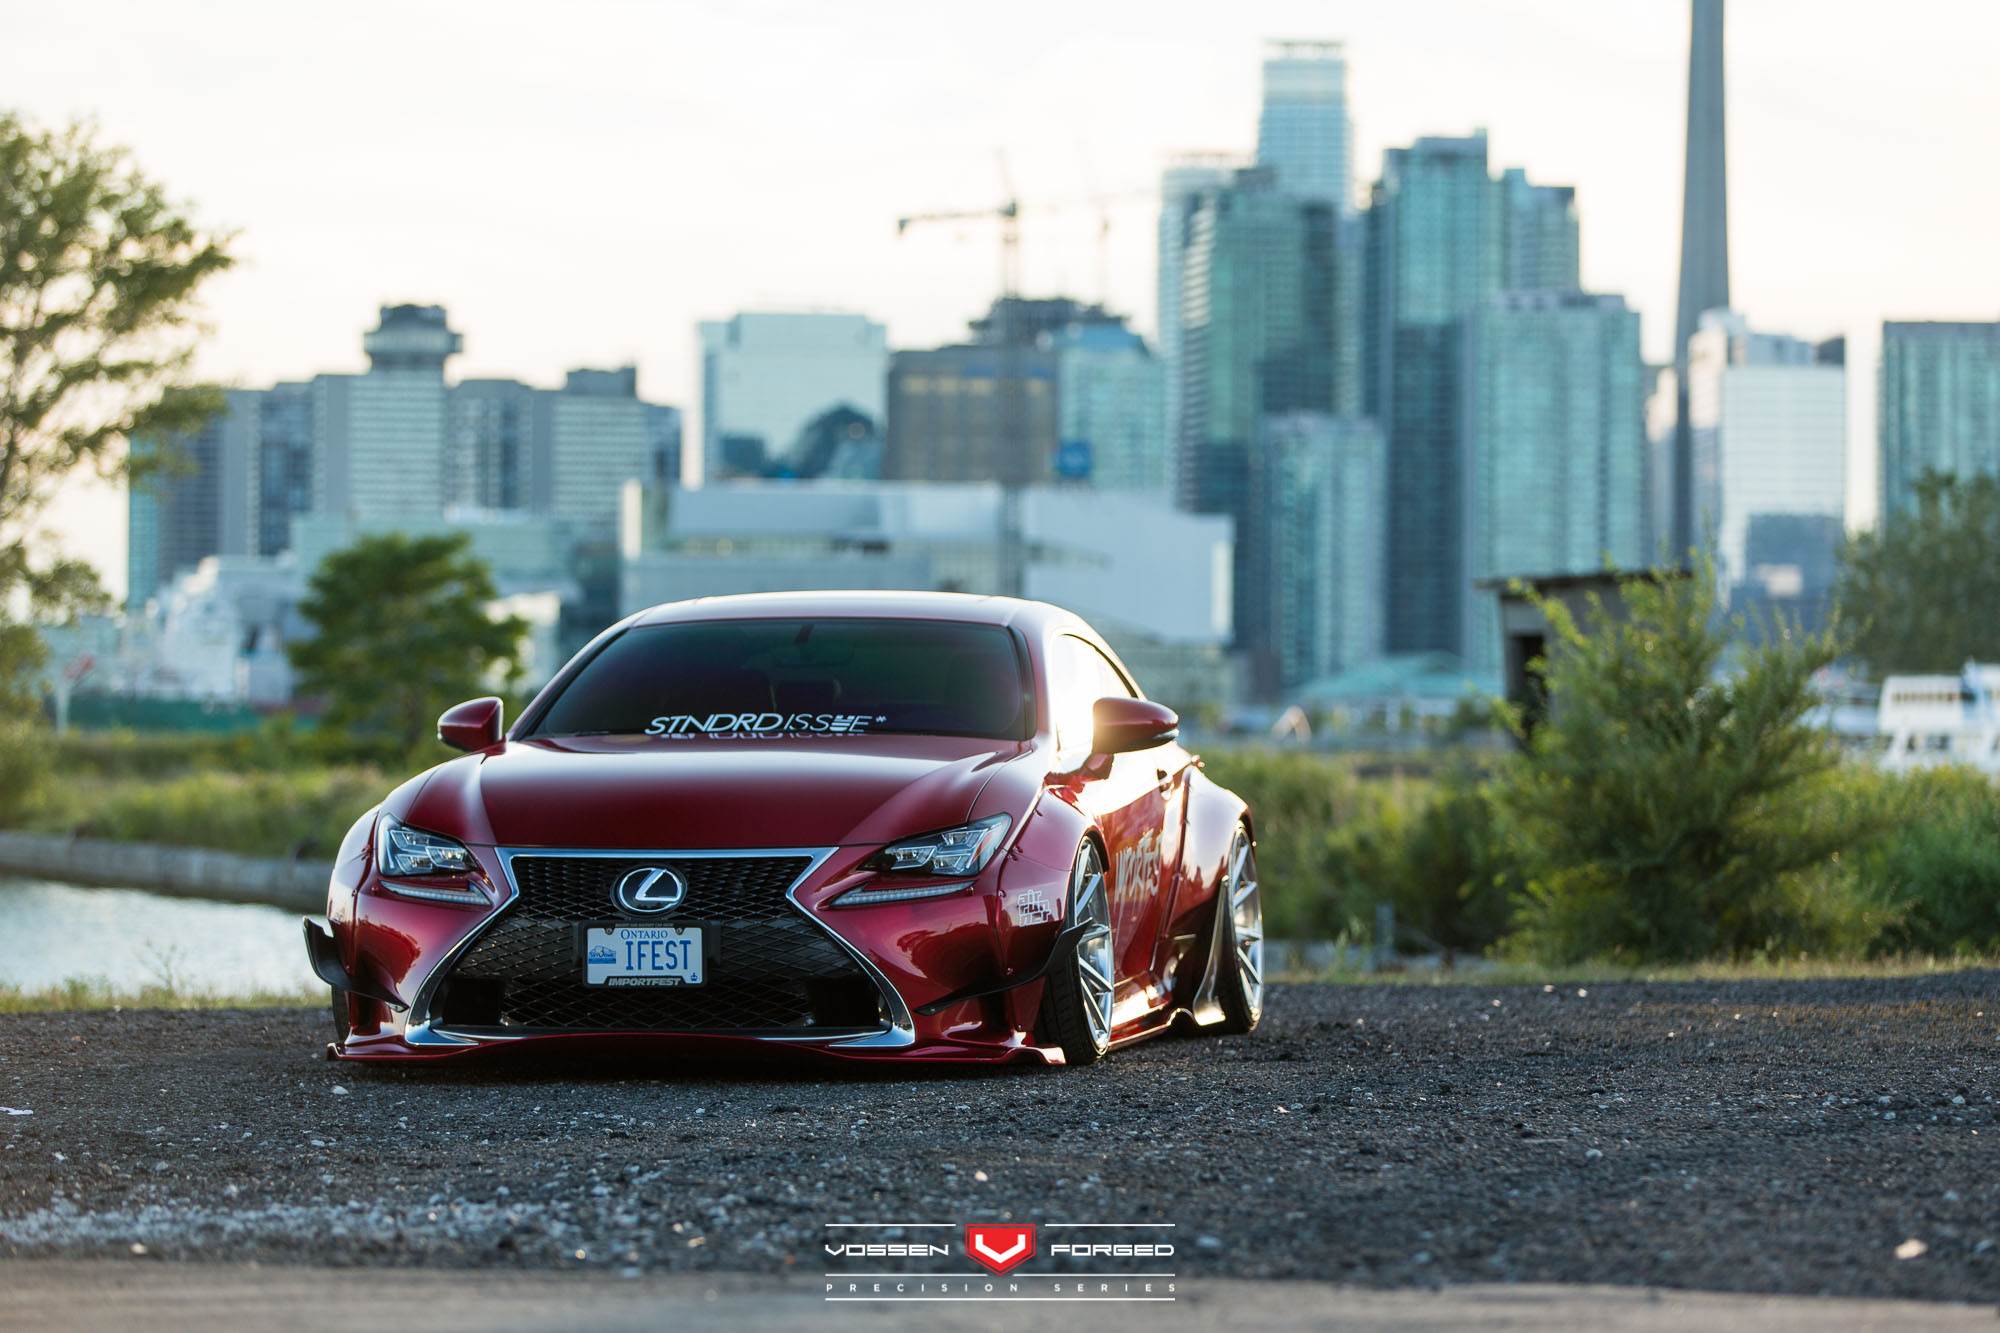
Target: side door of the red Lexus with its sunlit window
(1131,808)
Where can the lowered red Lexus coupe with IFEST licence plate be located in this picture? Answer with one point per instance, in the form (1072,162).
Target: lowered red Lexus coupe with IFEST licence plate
(911,826)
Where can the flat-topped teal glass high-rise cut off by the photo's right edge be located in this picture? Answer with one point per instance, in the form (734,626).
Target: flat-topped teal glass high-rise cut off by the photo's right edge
(1939,405)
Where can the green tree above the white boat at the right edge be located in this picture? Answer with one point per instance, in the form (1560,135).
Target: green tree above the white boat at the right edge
(1925,587)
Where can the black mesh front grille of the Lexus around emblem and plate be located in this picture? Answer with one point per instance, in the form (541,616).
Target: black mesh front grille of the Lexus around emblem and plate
(773,970)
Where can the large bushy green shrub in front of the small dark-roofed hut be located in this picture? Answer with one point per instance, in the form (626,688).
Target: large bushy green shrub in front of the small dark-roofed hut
(1671,804)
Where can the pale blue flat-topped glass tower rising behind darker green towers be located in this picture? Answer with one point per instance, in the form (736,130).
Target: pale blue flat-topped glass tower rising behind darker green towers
(1303,133)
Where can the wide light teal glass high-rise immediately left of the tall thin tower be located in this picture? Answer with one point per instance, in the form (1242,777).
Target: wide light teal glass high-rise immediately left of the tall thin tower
(1553,447)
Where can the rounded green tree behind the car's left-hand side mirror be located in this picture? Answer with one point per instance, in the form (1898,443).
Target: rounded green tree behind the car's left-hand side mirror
(403,633)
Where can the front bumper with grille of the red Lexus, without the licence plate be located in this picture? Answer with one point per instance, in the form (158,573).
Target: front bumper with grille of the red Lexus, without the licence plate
(431,980)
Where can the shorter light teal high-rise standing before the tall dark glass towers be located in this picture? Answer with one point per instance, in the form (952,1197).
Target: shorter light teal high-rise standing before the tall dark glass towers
(1323,573)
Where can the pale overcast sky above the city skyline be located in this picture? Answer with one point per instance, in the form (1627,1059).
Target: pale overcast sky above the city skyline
(581,183)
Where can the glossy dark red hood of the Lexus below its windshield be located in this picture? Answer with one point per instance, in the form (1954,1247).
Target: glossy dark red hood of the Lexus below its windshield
(671,794)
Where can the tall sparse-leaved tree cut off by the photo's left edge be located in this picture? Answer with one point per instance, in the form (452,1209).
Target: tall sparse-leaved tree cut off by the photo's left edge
(99,279)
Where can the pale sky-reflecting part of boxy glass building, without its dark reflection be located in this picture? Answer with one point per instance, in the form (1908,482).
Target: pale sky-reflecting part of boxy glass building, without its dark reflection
(769,375)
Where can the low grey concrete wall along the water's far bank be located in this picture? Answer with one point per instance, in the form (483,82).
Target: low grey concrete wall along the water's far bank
(179,872)
